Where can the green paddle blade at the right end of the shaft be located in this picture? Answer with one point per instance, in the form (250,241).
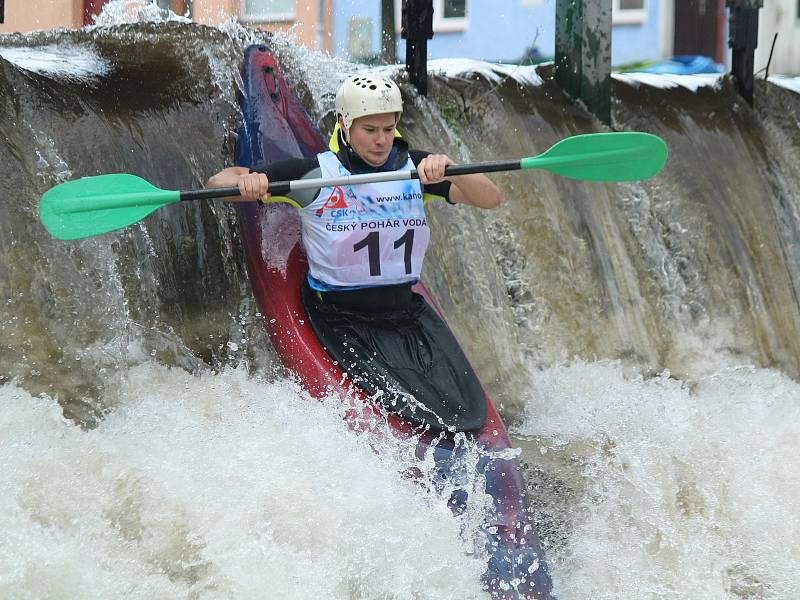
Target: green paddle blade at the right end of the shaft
(622,156)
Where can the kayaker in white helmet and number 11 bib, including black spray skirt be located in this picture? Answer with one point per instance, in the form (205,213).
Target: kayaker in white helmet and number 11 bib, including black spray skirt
(365,246)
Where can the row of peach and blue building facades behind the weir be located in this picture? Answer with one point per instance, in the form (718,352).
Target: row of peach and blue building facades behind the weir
(497,30)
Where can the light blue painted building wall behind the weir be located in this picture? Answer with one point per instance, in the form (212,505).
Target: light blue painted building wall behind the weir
(500,30)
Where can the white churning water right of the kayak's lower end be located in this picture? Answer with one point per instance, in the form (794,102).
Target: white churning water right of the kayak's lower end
(667,489)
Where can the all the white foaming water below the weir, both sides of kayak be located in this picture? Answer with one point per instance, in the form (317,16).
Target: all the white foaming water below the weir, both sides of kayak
(225,485)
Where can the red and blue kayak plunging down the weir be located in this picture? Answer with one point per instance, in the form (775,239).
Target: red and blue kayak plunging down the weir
(276,127)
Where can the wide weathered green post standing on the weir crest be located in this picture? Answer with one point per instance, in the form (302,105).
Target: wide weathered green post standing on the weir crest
(583,53)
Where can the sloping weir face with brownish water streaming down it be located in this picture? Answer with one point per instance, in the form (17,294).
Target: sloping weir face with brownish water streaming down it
(696,266)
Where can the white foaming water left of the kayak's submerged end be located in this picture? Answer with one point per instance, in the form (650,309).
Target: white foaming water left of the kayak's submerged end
(220,486)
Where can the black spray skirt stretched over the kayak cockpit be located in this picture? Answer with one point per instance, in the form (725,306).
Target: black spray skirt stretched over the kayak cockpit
(405,358)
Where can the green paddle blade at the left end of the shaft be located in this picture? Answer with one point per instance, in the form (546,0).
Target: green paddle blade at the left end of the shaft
(95,205)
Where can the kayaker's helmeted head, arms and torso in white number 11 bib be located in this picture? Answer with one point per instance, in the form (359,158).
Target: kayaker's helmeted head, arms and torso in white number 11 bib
(337,221)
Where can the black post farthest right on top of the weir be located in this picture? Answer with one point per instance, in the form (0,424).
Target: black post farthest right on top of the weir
(743,40)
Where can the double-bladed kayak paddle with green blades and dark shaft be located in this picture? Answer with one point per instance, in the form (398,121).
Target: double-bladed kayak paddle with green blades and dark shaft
(95,205)
